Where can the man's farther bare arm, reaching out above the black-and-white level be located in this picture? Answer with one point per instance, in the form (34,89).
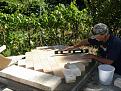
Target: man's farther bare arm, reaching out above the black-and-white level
(83,42)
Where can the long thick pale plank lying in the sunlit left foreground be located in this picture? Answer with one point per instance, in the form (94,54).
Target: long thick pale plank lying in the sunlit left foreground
(32,78)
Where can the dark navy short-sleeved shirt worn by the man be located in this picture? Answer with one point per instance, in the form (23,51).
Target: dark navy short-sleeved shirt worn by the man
(110,50)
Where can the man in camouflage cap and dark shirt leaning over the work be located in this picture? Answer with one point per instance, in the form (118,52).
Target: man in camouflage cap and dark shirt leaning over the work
(109,47)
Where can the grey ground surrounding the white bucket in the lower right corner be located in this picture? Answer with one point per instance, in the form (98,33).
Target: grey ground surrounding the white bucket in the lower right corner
(93,84)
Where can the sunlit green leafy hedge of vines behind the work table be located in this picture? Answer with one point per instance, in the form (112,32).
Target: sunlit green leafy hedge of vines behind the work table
(27,28)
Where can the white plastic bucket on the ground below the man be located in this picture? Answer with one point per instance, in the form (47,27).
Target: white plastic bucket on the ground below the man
(106,73)
